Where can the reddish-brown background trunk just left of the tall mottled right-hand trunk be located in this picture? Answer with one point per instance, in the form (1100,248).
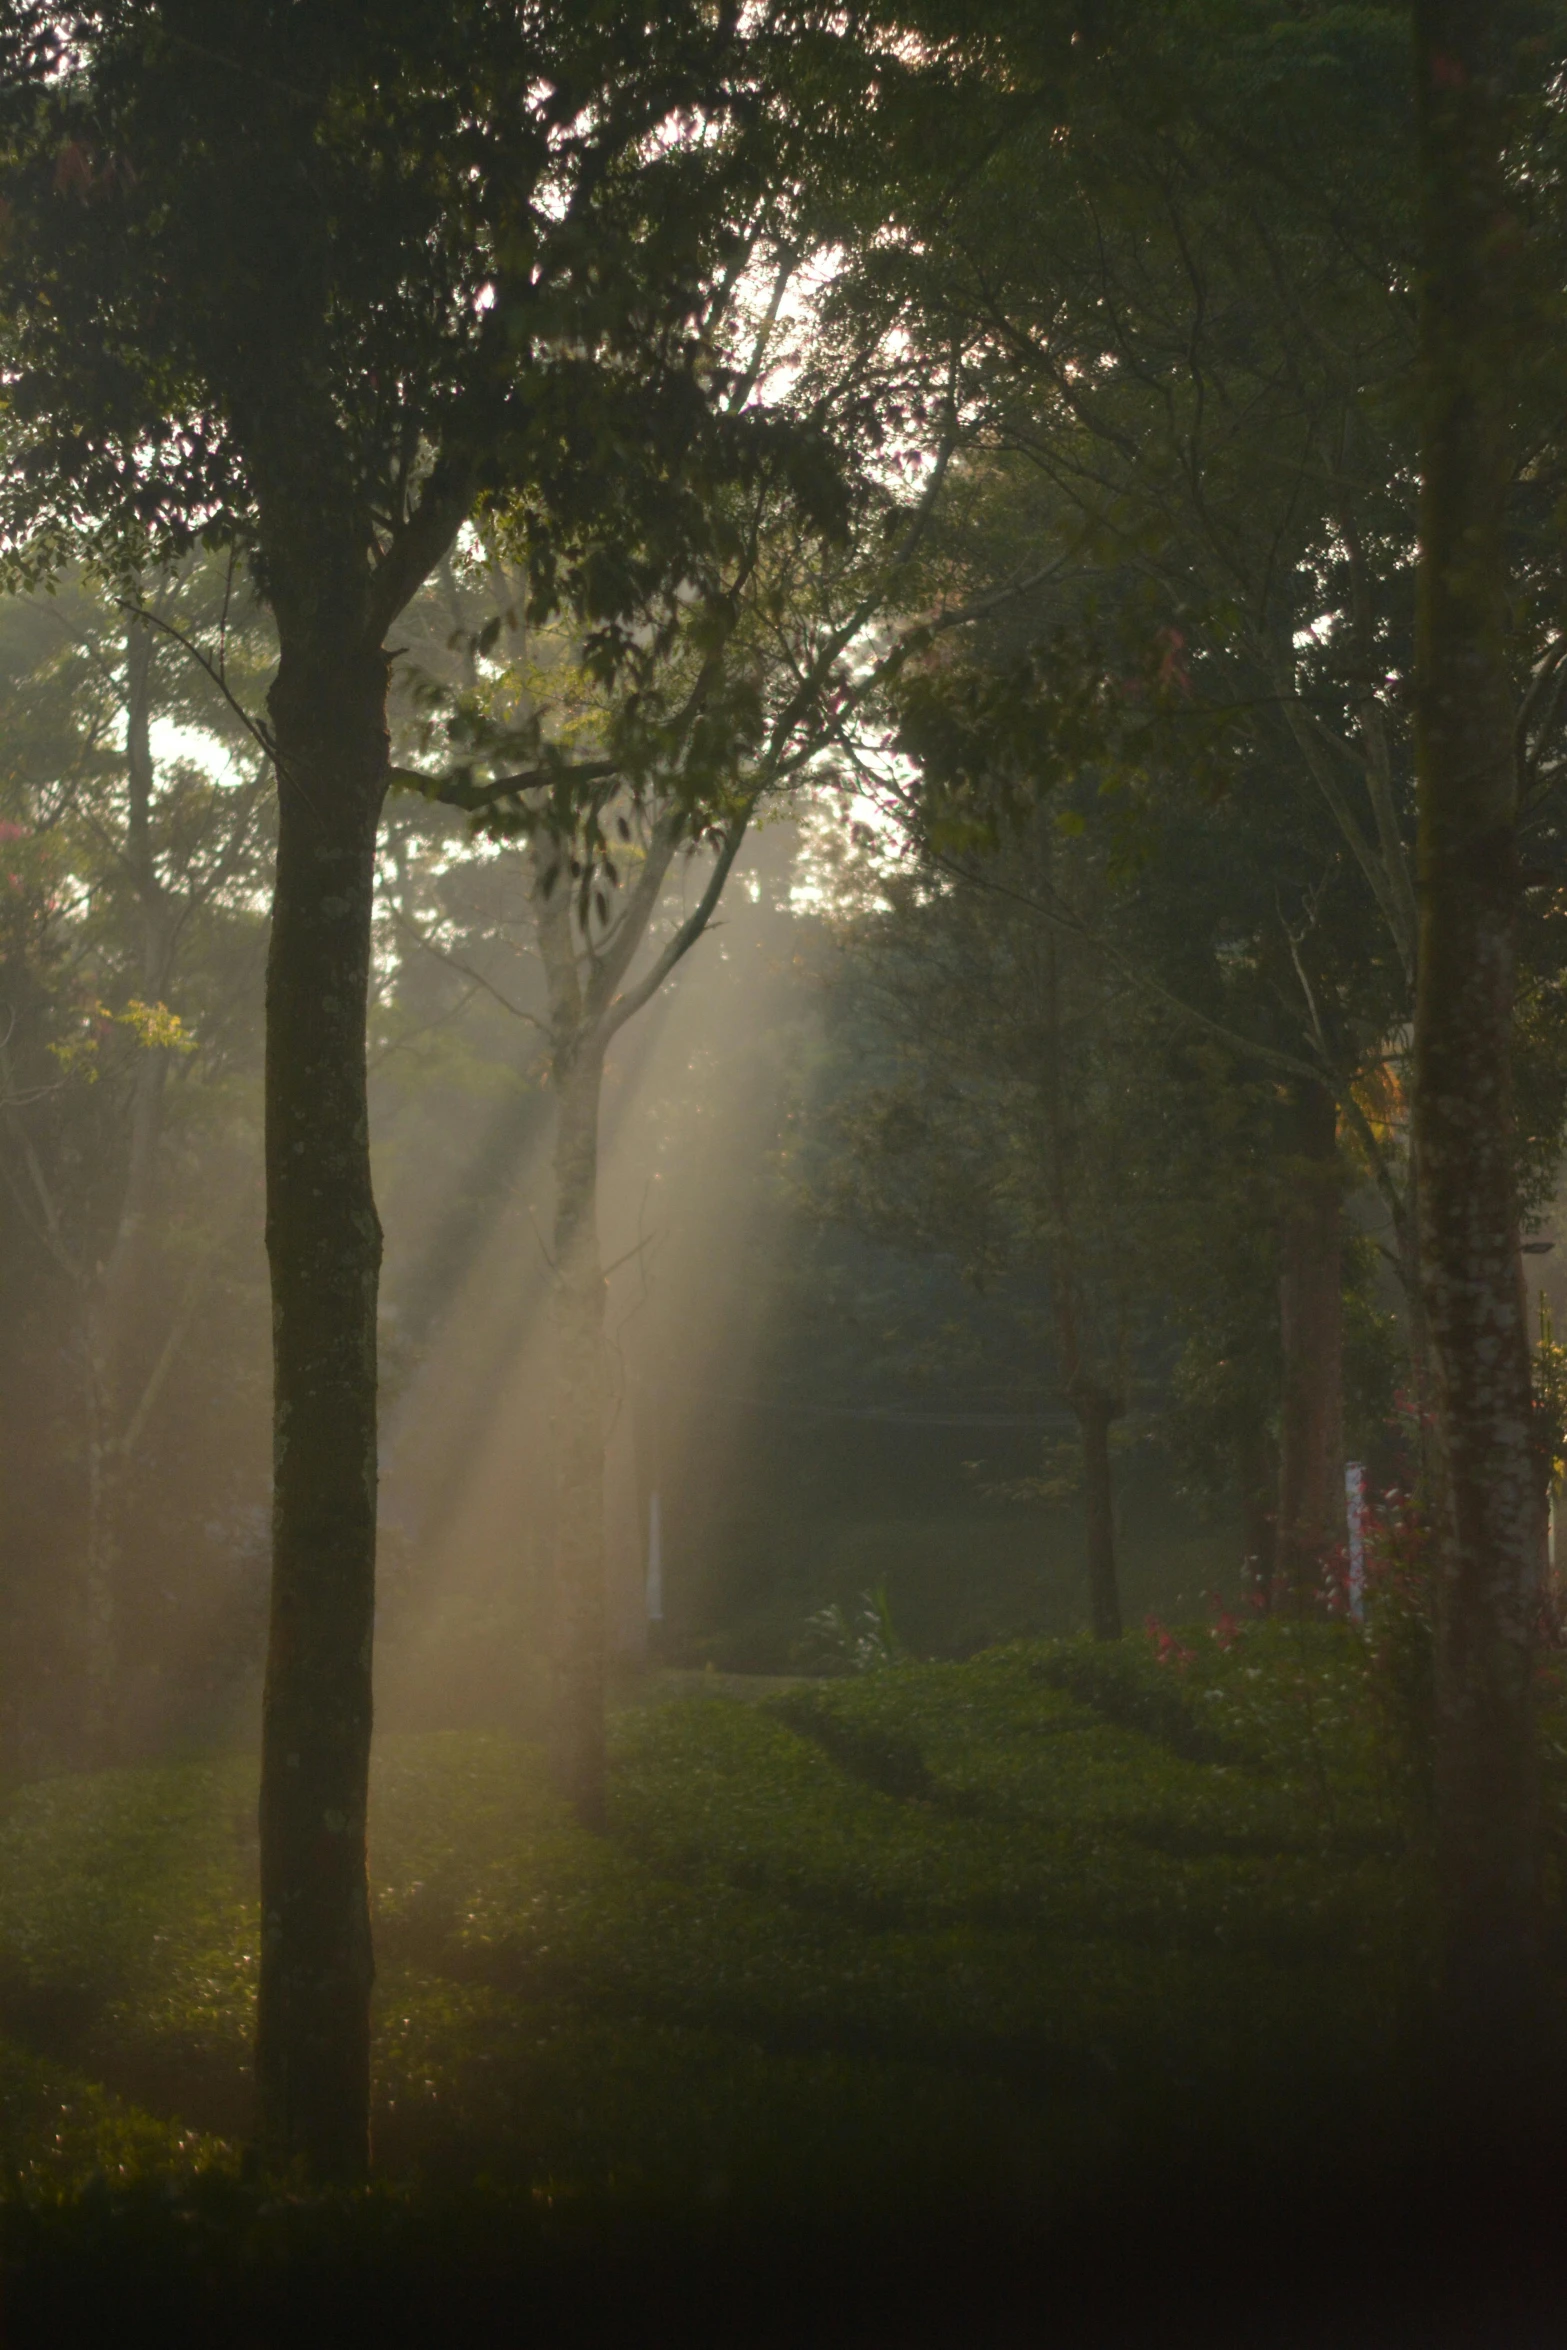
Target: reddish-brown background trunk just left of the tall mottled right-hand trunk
(1312,1336)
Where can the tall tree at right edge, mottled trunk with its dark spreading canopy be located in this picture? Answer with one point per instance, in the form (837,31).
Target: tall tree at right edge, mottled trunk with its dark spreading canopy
(1195,274)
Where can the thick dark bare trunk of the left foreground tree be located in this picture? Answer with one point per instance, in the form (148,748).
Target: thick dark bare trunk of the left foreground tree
(325,1258)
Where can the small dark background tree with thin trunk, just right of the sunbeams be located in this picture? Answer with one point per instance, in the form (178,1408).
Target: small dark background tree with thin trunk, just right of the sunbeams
(990,1110)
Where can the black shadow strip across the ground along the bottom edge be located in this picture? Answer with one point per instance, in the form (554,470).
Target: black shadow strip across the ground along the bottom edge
(1387,2248)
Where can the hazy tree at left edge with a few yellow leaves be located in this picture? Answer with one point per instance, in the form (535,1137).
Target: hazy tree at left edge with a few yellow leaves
(130,873)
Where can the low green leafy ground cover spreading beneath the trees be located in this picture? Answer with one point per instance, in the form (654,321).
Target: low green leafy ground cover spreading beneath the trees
(1058,1954)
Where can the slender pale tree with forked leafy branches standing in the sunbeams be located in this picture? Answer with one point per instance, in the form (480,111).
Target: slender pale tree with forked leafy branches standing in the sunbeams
(718,720)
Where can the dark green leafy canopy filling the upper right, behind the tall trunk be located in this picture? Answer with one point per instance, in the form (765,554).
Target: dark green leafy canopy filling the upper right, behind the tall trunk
(1190,375)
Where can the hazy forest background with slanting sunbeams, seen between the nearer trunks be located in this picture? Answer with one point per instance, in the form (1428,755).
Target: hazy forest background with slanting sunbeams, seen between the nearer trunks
(828,1362)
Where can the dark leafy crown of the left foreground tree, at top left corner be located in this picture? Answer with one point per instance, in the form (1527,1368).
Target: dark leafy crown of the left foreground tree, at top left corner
(429,264)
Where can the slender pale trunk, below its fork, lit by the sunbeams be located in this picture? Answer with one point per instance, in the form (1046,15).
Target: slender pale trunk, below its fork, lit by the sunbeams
(577,1686)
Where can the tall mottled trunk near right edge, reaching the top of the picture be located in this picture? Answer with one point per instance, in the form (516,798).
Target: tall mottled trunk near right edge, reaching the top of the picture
(1486,1766)
